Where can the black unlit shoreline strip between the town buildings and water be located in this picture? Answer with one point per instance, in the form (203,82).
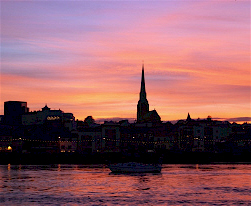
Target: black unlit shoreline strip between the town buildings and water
(105,158)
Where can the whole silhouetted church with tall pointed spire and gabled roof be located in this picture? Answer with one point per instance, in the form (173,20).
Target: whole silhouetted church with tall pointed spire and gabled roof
(143,113)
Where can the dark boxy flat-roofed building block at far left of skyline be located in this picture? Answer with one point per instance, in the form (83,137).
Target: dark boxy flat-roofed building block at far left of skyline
(13,111)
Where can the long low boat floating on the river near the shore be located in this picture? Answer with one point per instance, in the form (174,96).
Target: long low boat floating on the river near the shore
(134,167)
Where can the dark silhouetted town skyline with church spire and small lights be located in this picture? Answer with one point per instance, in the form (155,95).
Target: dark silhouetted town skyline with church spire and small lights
(48,131)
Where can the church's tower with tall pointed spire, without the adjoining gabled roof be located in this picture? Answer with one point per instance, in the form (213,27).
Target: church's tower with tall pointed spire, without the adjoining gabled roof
(143,106)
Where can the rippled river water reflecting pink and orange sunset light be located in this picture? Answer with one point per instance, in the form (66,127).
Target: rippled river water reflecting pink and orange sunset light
(95,185)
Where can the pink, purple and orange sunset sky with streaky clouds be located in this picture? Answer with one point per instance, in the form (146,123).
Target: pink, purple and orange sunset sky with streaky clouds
(85,57)
